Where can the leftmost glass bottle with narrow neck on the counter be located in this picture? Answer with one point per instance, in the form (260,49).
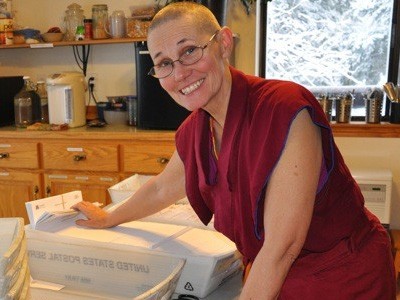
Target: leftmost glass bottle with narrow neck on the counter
(23,105)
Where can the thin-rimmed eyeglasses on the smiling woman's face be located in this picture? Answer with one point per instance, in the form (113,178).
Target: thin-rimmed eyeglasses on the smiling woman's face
(191,56)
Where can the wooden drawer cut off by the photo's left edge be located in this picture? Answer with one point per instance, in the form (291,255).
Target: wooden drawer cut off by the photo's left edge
(18,155)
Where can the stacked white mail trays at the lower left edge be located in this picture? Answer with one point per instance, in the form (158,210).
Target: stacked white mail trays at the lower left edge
(14,268)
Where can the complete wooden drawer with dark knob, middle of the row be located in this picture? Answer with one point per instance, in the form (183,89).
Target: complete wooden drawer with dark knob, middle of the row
(80,156)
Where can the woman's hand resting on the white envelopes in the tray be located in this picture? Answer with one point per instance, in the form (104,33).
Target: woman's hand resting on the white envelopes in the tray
(96,217)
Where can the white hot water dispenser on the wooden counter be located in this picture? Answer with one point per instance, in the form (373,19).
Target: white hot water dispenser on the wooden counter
(66,96)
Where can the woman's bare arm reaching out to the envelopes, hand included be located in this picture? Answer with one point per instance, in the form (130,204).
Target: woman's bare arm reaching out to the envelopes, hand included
(158,193)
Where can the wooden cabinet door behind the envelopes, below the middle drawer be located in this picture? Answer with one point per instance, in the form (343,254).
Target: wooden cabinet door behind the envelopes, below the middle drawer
(94,188)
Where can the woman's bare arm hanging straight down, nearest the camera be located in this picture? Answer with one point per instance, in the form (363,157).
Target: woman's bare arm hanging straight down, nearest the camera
(289,202)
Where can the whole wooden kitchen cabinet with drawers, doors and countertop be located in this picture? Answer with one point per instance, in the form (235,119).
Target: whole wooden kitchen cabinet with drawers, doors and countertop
(37,164)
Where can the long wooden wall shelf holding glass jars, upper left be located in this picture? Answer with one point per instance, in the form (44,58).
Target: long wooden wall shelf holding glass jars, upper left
(74,43)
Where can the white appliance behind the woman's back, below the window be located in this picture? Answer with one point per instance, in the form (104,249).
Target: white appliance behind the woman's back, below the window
(376,187)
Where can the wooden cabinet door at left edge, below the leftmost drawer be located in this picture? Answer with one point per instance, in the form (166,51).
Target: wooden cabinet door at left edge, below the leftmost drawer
(16,188)
